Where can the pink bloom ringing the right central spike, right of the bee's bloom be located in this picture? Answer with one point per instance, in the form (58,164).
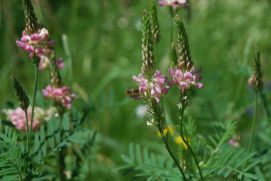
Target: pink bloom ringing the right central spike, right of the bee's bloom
(184,80)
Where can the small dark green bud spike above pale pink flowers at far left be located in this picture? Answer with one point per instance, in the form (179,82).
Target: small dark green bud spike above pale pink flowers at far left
(20,93)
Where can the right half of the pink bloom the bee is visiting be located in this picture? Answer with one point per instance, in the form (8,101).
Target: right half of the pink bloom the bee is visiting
(158,86)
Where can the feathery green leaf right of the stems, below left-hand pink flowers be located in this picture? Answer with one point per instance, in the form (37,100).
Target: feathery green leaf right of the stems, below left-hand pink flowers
(57,135)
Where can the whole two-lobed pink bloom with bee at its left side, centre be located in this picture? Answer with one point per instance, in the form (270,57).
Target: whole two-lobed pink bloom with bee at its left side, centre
(155,88)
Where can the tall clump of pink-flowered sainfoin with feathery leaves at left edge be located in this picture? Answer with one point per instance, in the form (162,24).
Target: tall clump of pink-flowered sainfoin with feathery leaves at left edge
(44,135)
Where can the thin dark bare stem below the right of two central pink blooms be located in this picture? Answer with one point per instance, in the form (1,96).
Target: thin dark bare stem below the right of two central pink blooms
(186,142)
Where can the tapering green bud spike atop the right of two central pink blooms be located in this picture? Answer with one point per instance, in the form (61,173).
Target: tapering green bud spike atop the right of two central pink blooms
(183,50)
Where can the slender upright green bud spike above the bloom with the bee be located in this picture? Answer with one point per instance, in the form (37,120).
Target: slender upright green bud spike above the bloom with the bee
(147,45)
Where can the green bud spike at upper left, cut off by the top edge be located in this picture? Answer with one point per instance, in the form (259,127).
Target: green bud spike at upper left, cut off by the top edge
(31,22)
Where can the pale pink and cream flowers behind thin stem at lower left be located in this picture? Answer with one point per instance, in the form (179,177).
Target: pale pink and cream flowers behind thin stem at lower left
(18,119)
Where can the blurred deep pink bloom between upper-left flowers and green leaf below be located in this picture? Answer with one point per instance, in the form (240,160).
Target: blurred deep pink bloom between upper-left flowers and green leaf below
(61,95)
